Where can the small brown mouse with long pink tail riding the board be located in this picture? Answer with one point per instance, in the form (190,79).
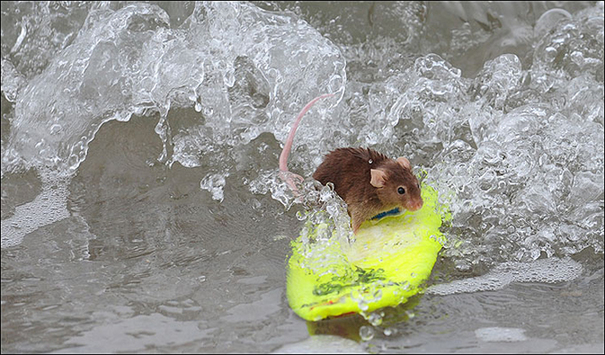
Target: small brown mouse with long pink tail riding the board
(371,184)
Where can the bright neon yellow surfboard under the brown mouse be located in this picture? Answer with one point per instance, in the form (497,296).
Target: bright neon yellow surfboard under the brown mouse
(384,265)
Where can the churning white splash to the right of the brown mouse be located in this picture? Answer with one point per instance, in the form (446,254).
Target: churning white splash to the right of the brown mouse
(516,151)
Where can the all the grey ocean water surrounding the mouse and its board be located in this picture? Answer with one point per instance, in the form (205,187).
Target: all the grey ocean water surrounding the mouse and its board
(142,209)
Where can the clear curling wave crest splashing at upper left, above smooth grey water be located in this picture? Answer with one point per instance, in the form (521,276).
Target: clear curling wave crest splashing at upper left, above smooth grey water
(238,65)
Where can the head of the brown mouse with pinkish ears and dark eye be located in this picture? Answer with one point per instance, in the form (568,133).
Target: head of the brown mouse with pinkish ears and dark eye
(396,185)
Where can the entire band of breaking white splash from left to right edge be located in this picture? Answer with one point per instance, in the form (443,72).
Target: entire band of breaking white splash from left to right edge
(515,149)
